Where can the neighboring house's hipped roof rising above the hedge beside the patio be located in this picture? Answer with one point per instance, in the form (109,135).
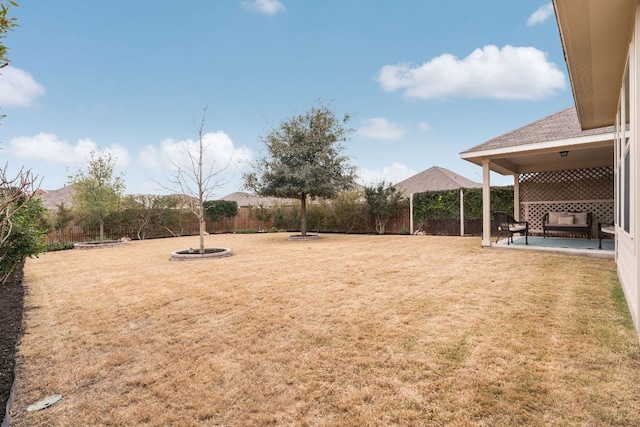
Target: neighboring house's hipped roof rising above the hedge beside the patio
(435,179)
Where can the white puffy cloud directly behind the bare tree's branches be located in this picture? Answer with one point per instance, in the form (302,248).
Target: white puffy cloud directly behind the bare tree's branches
(219,151)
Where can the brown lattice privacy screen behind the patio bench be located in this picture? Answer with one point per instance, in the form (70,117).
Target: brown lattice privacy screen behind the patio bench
(586,190)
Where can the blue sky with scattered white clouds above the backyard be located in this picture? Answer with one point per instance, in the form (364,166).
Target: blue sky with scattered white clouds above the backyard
(421,80)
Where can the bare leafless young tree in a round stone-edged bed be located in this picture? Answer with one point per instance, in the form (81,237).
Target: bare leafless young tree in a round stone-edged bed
(195,179)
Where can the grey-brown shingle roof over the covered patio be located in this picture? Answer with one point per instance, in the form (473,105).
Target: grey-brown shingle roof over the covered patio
(556,127)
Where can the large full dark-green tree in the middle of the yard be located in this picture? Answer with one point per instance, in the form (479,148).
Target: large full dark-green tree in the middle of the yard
(304,160)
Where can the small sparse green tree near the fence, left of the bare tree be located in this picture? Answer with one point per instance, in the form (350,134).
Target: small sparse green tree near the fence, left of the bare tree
(97,190)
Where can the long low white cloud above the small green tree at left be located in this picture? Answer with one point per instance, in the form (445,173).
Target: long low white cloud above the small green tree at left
(48,148)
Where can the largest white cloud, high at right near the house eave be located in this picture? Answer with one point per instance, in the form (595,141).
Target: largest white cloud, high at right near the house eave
(490,72)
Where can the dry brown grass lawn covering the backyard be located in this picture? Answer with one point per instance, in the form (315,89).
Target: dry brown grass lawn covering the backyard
(346,330)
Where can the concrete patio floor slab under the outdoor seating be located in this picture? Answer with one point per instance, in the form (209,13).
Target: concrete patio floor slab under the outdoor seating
(564,245)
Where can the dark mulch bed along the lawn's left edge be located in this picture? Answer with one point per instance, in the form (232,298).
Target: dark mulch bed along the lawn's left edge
(11,304)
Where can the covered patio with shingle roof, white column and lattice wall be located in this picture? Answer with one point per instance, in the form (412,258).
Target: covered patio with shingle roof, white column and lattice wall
(556,166)
